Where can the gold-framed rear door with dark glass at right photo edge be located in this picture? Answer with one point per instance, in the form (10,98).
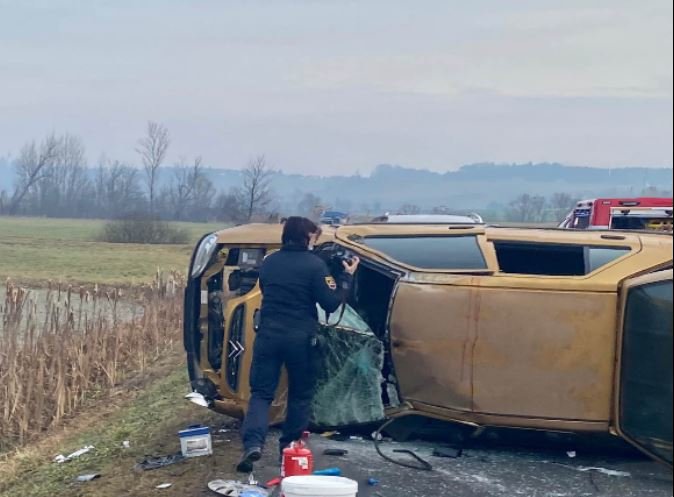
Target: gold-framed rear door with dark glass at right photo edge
(644,376)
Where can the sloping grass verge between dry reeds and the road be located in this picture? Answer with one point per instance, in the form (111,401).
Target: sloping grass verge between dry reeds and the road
(148,417)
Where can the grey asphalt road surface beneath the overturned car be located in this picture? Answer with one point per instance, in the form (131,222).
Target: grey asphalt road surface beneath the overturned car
(494,472)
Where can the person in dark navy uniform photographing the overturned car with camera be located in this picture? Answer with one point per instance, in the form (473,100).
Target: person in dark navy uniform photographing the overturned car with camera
(293,280)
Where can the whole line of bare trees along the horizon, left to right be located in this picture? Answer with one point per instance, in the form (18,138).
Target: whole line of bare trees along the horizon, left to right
(53,178)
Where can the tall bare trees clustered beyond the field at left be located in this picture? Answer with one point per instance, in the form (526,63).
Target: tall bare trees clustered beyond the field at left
(53,178)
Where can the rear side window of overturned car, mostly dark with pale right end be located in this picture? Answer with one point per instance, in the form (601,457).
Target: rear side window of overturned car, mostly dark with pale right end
(550,259)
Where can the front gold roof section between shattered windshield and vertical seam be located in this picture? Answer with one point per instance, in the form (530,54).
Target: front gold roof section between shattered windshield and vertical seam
(433,332)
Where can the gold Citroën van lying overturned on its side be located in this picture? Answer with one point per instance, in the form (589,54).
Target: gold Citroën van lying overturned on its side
(526,328)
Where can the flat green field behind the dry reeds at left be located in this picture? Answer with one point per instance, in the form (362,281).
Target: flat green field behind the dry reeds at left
(37,249)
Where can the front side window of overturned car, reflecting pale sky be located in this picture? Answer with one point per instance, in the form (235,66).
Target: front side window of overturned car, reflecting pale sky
(432,252)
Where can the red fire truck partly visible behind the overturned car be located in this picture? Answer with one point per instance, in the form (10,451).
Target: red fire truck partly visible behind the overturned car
(645,213)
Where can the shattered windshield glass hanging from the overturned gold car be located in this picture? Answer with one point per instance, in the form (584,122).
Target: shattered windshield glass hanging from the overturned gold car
(349,374)
